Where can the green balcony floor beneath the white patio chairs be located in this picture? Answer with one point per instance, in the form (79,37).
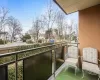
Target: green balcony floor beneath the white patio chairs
(69,75)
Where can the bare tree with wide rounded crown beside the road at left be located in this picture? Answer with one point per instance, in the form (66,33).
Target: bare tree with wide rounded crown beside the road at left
(14,27)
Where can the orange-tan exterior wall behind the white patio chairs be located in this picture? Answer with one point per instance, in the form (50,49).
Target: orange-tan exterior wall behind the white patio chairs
(89,28)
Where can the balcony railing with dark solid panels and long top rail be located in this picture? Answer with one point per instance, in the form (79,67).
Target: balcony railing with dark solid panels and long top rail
(32,64)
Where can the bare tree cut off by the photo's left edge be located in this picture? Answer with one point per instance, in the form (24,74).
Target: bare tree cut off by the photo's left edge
(3,17)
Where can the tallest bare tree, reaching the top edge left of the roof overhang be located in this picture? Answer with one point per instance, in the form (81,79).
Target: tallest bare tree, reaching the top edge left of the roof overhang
(49,17)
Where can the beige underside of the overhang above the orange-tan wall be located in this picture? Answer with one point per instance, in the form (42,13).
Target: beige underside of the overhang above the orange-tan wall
(70,6)
